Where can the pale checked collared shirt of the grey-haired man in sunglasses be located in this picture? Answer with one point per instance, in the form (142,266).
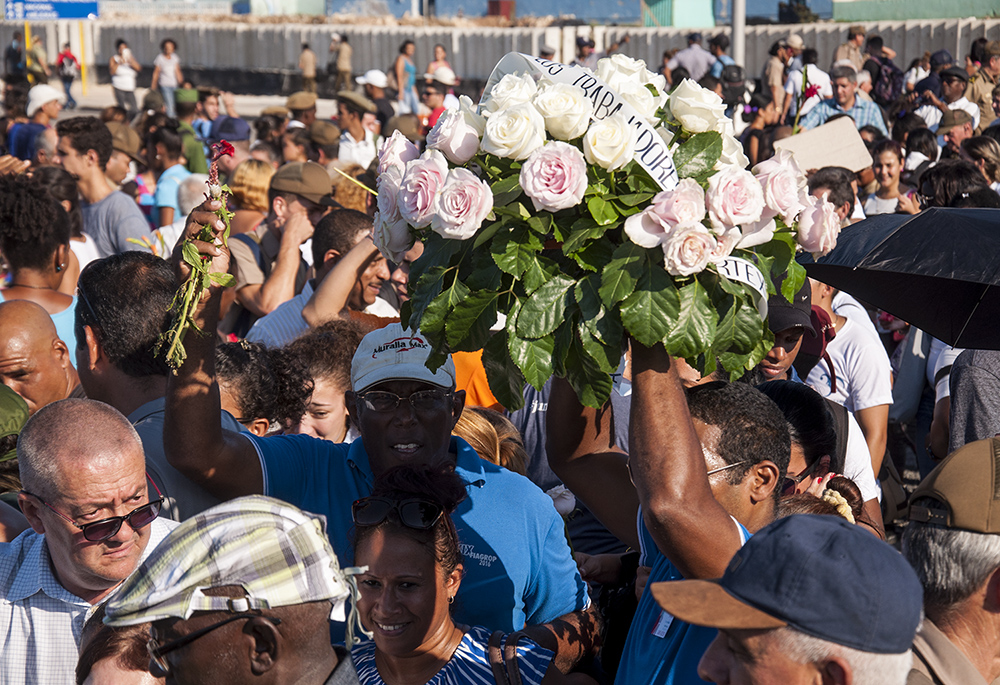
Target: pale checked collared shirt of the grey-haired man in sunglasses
(40,620)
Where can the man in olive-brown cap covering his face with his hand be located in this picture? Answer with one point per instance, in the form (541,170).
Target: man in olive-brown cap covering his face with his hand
(270,268)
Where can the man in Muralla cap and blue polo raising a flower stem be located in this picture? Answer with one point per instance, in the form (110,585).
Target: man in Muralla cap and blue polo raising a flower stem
(519,569)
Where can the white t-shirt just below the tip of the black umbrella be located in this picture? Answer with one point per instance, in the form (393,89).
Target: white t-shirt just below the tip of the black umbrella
(864,377)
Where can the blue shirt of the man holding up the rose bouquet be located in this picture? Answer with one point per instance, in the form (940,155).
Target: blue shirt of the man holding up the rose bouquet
(660,649)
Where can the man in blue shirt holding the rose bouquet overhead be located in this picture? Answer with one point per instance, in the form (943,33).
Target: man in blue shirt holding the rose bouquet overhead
(707,469)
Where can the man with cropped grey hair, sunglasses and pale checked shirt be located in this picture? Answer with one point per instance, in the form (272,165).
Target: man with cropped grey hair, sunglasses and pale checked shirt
(93,514)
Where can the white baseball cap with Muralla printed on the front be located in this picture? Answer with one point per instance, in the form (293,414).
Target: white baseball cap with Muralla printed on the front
(396,354)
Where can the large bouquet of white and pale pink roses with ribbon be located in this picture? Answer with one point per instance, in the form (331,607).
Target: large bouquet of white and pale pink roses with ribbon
(586,208)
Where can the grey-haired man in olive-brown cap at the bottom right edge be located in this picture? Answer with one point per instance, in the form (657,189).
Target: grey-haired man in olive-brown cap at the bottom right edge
(953,544)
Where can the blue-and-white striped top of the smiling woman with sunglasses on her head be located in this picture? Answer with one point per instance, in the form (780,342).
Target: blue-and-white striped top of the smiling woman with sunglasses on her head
(469,665)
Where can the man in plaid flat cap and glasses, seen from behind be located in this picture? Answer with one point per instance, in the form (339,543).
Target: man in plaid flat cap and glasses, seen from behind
(243,592)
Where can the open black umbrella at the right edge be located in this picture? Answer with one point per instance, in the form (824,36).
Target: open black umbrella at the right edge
(938,270)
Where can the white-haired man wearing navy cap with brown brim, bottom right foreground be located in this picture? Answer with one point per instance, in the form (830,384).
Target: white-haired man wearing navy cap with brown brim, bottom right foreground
(808,599)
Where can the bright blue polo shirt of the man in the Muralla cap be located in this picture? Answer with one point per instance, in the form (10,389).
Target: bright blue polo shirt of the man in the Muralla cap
(518,566)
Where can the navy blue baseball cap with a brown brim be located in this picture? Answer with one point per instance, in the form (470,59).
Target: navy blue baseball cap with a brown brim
(820,575)
